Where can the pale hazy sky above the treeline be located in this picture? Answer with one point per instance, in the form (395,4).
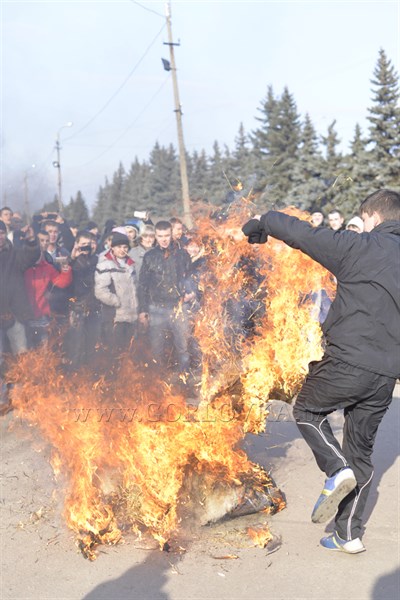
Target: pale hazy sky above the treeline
(98,64)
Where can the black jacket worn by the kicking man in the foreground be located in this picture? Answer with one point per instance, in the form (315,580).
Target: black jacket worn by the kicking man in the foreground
(362,327)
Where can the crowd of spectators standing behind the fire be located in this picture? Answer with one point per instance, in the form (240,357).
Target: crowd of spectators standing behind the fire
(87,289)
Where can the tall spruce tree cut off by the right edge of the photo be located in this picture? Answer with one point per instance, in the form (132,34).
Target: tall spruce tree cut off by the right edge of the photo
(384,118)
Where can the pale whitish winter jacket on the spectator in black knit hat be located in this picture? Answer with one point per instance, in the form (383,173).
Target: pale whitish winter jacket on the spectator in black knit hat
(115,286)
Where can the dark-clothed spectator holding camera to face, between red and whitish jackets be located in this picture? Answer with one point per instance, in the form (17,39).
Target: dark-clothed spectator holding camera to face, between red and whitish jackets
(83,334)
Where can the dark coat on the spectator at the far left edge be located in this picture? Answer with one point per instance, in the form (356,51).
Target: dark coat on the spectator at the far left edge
(13,297)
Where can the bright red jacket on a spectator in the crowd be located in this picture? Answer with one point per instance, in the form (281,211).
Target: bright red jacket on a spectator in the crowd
(37,281)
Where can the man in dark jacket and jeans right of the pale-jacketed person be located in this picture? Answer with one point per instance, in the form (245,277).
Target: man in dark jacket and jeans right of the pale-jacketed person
(164,282)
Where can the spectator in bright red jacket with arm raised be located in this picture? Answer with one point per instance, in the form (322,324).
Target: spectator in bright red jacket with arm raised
(38,280)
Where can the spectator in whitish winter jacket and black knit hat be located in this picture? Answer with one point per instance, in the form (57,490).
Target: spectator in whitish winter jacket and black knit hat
(115,287)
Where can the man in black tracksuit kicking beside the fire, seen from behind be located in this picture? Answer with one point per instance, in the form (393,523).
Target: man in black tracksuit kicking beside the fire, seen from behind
(361,363)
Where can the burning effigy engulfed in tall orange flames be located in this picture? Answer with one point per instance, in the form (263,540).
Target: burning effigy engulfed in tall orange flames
(131,452)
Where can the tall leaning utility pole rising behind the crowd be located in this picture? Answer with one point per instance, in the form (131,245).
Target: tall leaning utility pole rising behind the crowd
(178,112)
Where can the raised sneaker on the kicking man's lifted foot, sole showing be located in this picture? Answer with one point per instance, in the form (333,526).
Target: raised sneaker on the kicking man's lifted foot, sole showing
(335,489)
